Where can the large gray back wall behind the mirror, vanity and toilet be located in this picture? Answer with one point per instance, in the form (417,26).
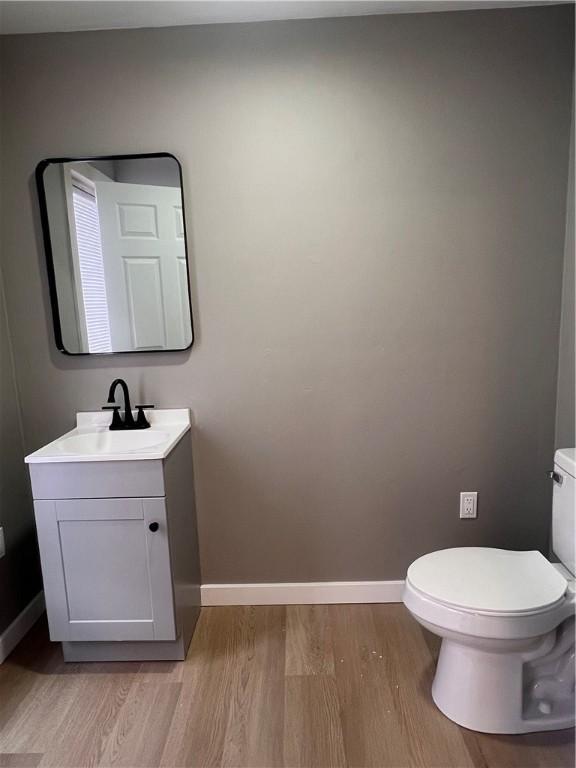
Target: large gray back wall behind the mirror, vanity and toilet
(376,211)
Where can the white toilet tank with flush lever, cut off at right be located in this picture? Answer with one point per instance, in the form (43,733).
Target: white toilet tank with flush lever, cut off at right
(563,510)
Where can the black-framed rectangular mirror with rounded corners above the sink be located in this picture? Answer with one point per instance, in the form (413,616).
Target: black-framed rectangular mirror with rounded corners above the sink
(115,239)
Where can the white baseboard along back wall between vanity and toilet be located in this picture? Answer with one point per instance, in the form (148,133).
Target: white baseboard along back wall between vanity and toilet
(305,593)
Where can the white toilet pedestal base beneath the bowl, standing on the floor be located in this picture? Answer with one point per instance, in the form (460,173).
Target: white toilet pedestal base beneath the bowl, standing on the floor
(505,690)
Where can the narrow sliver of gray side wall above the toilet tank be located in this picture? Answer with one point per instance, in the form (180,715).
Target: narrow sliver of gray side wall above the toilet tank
(565,412)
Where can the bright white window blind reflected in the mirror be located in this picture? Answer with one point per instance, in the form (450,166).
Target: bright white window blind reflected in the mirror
(91,271)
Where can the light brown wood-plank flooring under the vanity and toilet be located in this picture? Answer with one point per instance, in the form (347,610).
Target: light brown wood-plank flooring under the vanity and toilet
(343,685)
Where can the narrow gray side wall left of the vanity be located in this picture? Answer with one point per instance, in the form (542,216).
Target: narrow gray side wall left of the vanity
(19,569)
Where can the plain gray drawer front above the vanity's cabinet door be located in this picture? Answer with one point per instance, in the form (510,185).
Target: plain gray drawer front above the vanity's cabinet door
(97,479)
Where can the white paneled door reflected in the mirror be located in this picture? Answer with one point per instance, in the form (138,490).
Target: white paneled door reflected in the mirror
(144,258)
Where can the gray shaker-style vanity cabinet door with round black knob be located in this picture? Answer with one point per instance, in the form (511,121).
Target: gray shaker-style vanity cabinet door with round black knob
(106,569)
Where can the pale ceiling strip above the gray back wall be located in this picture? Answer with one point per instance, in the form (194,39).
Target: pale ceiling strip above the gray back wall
(33,16)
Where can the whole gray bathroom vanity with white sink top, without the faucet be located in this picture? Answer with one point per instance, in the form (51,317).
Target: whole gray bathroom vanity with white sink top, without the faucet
(118,541)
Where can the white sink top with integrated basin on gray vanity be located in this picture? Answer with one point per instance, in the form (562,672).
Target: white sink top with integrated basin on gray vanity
(93,441)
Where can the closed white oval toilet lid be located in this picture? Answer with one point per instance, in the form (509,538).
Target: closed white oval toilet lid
(485,579)
